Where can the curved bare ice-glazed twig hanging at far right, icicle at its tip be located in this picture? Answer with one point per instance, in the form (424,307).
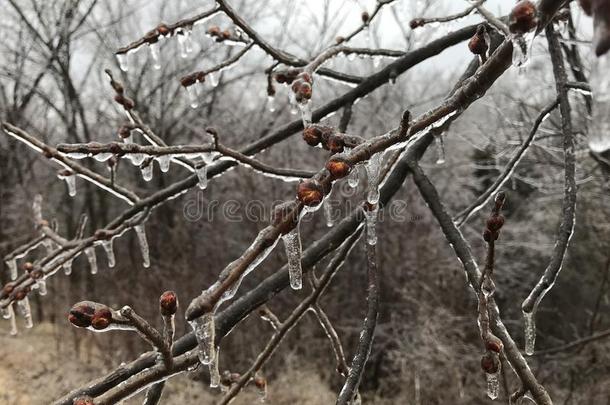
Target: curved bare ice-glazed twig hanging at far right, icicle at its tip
(566,228)
